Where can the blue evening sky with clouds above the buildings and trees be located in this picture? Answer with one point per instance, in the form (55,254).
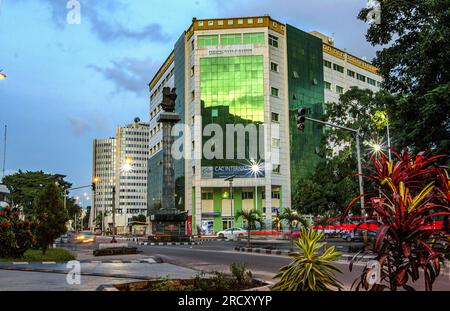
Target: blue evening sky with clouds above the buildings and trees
(68,84)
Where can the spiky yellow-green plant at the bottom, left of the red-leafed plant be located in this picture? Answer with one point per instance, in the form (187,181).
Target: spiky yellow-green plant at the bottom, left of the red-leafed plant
(310,269)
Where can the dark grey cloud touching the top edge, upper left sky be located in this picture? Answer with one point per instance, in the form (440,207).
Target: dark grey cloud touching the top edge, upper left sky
(98,15)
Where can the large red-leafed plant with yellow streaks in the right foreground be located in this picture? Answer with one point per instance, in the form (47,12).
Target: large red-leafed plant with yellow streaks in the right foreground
(415,192)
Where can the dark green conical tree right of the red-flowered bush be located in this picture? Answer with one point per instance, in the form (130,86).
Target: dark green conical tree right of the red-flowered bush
(50,216)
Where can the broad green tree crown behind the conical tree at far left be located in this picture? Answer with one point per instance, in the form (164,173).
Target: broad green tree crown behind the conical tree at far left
(25,187)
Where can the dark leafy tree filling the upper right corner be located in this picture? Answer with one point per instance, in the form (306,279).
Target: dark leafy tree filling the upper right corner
(414,66)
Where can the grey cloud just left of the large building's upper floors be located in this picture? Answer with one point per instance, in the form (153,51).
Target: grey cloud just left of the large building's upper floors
(129,74)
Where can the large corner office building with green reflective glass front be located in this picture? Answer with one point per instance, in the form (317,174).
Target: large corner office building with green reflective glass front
(252,73)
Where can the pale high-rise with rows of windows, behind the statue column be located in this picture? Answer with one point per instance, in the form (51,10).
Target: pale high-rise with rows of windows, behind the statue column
(120,172)
